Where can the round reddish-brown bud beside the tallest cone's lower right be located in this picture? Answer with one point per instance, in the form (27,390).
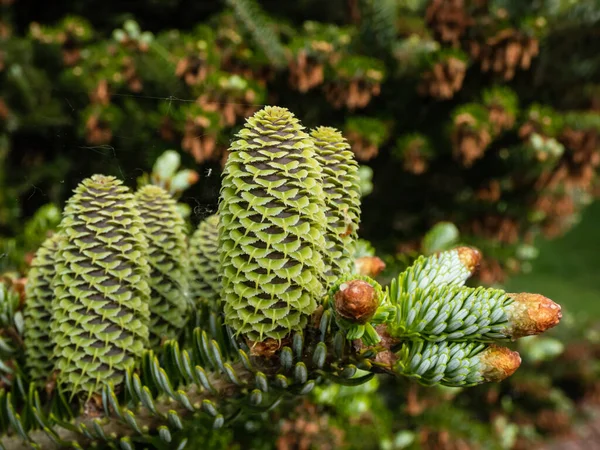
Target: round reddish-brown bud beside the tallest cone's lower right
(356,301)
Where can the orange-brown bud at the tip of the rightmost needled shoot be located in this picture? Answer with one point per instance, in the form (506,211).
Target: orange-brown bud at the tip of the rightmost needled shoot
(532,314)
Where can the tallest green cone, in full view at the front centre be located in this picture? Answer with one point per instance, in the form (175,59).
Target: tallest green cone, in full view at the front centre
(272,227)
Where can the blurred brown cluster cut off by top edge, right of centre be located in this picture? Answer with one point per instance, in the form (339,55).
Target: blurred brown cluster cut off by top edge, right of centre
(448,19)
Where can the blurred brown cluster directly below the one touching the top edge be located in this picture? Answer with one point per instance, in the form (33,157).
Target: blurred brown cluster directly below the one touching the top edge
(444,79)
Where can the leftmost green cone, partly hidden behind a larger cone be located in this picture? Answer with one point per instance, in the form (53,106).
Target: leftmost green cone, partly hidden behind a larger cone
(38,311)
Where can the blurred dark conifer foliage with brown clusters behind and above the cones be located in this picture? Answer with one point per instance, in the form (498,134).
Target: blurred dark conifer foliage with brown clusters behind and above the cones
(466,107)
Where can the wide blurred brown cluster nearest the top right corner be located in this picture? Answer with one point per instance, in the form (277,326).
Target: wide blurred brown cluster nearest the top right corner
(505,52)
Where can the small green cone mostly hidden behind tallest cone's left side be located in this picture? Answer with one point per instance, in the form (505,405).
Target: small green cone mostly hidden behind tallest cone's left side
(205,283)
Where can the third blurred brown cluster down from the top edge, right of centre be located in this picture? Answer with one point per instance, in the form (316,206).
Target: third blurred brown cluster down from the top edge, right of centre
(468,144)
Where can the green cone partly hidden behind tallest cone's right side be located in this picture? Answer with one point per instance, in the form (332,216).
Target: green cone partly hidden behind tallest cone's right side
(341,186)
